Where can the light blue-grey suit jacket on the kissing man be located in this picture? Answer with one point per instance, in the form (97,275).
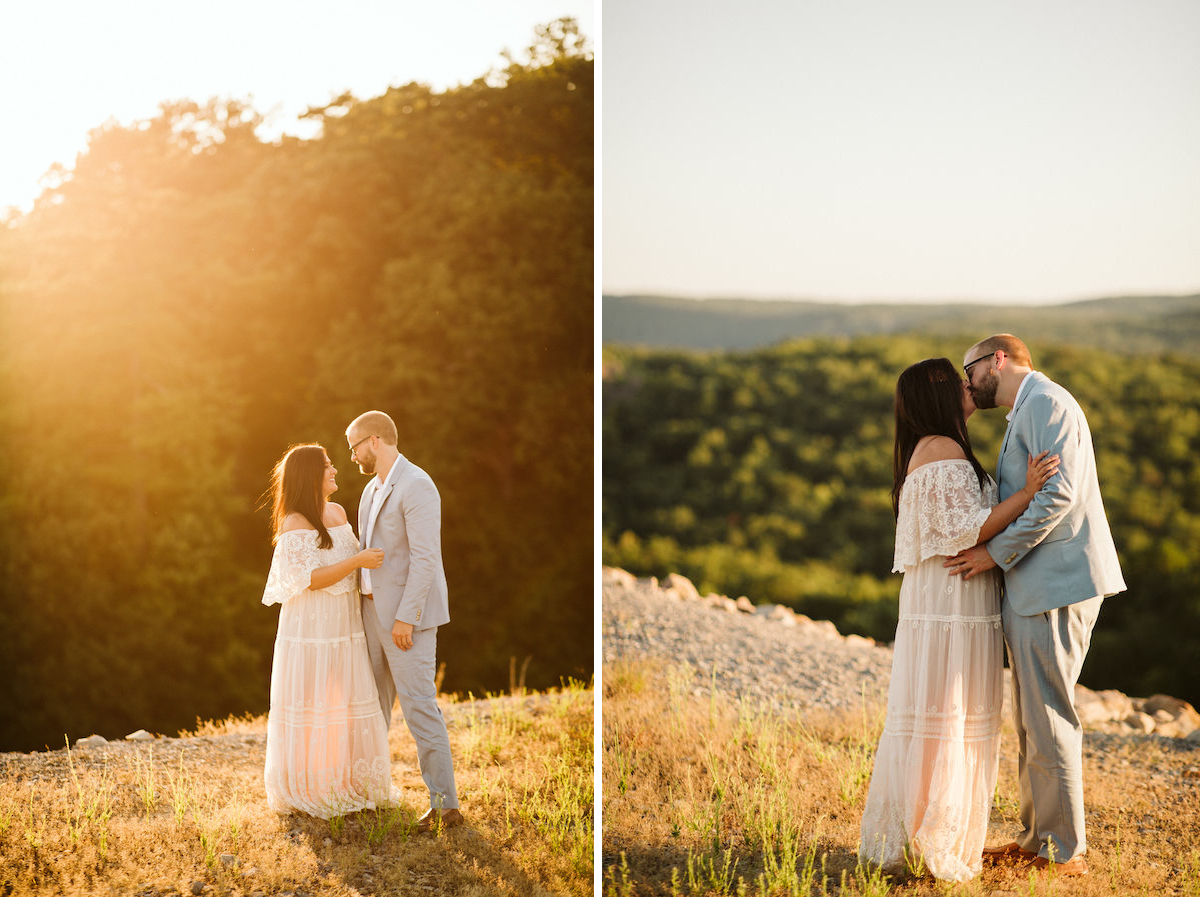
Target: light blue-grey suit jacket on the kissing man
(1060,551)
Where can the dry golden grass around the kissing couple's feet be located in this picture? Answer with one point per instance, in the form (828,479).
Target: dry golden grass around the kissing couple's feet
(707,798)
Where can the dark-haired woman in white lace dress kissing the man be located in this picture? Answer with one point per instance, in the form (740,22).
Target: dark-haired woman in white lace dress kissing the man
(935,770)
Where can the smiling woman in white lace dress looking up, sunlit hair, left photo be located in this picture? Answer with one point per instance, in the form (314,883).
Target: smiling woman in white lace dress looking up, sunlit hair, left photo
(327,742)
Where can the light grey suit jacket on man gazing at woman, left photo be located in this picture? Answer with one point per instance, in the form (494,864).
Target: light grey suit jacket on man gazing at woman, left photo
(411,586)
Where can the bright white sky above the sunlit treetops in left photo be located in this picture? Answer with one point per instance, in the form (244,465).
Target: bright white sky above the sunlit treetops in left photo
(68,67)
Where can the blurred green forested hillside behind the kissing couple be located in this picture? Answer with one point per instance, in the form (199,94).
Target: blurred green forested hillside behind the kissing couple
(767,474)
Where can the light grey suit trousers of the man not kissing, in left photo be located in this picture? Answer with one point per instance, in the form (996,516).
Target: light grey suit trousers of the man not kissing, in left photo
(410,676)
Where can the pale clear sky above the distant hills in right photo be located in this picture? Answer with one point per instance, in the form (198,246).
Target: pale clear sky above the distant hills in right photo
(933,150)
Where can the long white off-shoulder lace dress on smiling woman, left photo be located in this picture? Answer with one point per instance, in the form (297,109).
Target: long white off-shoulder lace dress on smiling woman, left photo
(327,743)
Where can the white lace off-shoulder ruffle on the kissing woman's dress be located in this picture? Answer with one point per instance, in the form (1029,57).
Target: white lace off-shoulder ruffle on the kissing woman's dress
(941,513)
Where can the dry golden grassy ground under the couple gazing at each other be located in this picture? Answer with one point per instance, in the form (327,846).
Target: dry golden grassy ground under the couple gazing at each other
(160,817)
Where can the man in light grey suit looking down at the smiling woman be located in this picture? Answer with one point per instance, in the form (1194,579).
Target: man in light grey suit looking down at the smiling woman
(406,600)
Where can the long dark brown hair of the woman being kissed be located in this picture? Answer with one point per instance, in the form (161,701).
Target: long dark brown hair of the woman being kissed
(929,404)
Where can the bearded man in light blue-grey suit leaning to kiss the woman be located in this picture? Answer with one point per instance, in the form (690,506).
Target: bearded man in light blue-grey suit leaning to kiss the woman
(1060,564)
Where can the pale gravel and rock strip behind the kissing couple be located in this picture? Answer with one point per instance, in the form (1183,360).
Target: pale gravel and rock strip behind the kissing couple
(770,654)
